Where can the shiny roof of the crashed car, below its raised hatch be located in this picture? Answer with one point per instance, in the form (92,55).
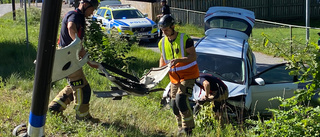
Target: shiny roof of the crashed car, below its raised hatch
(212,44)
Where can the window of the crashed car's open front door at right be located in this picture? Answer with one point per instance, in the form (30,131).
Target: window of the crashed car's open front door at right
(277,75)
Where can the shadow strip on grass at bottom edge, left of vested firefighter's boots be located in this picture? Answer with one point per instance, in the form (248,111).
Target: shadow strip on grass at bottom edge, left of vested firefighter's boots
(130,130)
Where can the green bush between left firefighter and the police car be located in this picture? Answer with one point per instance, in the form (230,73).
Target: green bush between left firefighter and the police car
(111,49)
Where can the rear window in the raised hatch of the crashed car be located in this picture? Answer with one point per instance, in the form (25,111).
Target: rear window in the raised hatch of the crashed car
(228,23)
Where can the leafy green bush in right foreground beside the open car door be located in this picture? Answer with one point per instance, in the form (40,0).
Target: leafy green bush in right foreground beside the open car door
(296,117)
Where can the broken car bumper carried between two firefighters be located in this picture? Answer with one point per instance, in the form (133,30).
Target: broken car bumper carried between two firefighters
(67,61)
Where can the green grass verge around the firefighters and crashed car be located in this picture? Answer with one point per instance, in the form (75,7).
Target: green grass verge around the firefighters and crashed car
(131,116)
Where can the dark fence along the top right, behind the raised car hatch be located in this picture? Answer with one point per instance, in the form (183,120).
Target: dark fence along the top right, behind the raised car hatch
(274,10)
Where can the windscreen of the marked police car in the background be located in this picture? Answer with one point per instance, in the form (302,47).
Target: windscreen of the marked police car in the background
(128,14)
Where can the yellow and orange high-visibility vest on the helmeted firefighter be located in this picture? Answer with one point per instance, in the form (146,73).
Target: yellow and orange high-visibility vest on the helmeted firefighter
(181,71)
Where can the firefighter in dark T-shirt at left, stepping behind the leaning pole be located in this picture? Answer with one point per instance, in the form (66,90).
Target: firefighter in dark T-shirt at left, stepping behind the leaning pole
(78,88)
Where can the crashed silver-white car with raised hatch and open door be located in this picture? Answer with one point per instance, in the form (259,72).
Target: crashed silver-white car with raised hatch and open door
(224,52)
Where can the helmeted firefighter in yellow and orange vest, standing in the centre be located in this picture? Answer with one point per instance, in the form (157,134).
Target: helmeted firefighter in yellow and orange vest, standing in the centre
(178,50)
